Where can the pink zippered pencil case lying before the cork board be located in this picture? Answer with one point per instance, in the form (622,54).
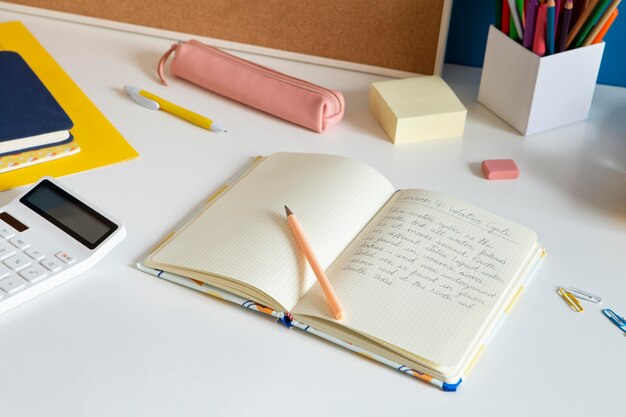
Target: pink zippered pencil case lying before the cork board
(278,94)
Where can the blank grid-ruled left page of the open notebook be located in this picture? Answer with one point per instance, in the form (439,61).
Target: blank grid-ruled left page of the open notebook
(244,235)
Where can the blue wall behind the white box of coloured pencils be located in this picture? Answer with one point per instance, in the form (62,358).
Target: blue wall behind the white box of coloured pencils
(470,22)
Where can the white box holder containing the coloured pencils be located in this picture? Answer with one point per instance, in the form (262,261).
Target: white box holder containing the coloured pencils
(533,93)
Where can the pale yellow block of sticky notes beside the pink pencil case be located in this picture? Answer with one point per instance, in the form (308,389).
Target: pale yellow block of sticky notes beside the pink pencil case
(415,109)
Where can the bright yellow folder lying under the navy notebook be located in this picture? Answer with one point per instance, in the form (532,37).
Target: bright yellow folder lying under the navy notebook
(101,144)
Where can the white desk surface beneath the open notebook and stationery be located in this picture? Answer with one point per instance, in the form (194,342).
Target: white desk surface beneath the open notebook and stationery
(118,342)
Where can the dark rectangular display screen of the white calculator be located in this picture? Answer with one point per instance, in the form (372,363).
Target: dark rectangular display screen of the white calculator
(69,214)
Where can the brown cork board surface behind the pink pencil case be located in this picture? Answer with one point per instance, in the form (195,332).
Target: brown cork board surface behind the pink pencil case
(396,34)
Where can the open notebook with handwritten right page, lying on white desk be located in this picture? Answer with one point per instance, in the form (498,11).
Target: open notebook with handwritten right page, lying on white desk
(423,278)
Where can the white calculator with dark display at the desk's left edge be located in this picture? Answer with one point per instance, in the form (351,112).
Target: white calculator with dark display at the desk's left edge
(47,236)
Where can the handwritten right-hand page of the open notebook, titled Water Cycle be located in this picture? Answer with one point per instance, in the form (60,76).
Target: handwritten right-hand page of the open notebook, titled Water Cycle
(426,275)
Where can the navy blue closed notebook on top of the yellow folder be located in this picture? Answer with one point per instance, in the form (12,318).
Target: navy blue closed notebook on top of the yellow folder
(30,117)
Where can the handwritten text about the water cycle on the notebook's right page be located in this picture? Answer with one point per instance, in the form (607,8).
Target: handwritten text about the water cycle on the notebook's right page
(435,247)
